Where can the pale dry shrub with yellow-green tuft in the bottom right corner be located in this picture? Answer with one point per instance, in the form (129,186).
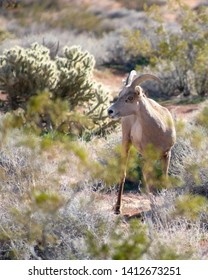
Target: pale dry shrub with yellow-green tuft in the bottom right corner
(177,231)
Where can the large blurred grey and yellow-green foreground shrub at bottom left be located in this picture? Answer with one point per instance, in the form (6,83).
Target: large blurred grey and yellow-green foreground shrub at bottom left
(44,215)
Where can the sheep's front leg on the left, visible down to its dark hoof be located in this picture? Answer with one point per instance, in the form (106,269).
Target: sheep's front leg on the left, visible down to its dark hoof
(124,160)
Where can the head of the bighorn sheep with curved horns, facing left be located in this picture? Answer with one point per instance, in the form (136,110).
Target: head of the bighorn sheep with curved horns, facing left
(130,96)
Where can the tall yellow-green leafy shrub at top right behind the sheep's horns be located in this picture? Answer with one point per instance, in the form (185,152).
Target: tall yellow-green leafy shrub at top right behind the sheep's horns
(179,55)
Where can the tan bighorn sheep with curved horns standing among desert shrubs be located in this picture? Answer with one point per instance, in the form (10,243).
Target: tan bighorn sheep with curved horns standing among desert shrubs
(144,122)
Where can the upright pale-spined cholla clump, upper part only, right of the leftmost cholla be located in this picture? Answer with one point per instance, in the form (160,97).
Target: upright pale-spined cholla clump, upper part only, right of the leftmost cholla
(75,76)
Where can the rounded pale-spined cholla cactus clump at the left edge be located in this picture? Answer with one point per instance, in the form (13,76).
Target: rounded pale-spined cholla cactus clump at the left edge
(25,71)
